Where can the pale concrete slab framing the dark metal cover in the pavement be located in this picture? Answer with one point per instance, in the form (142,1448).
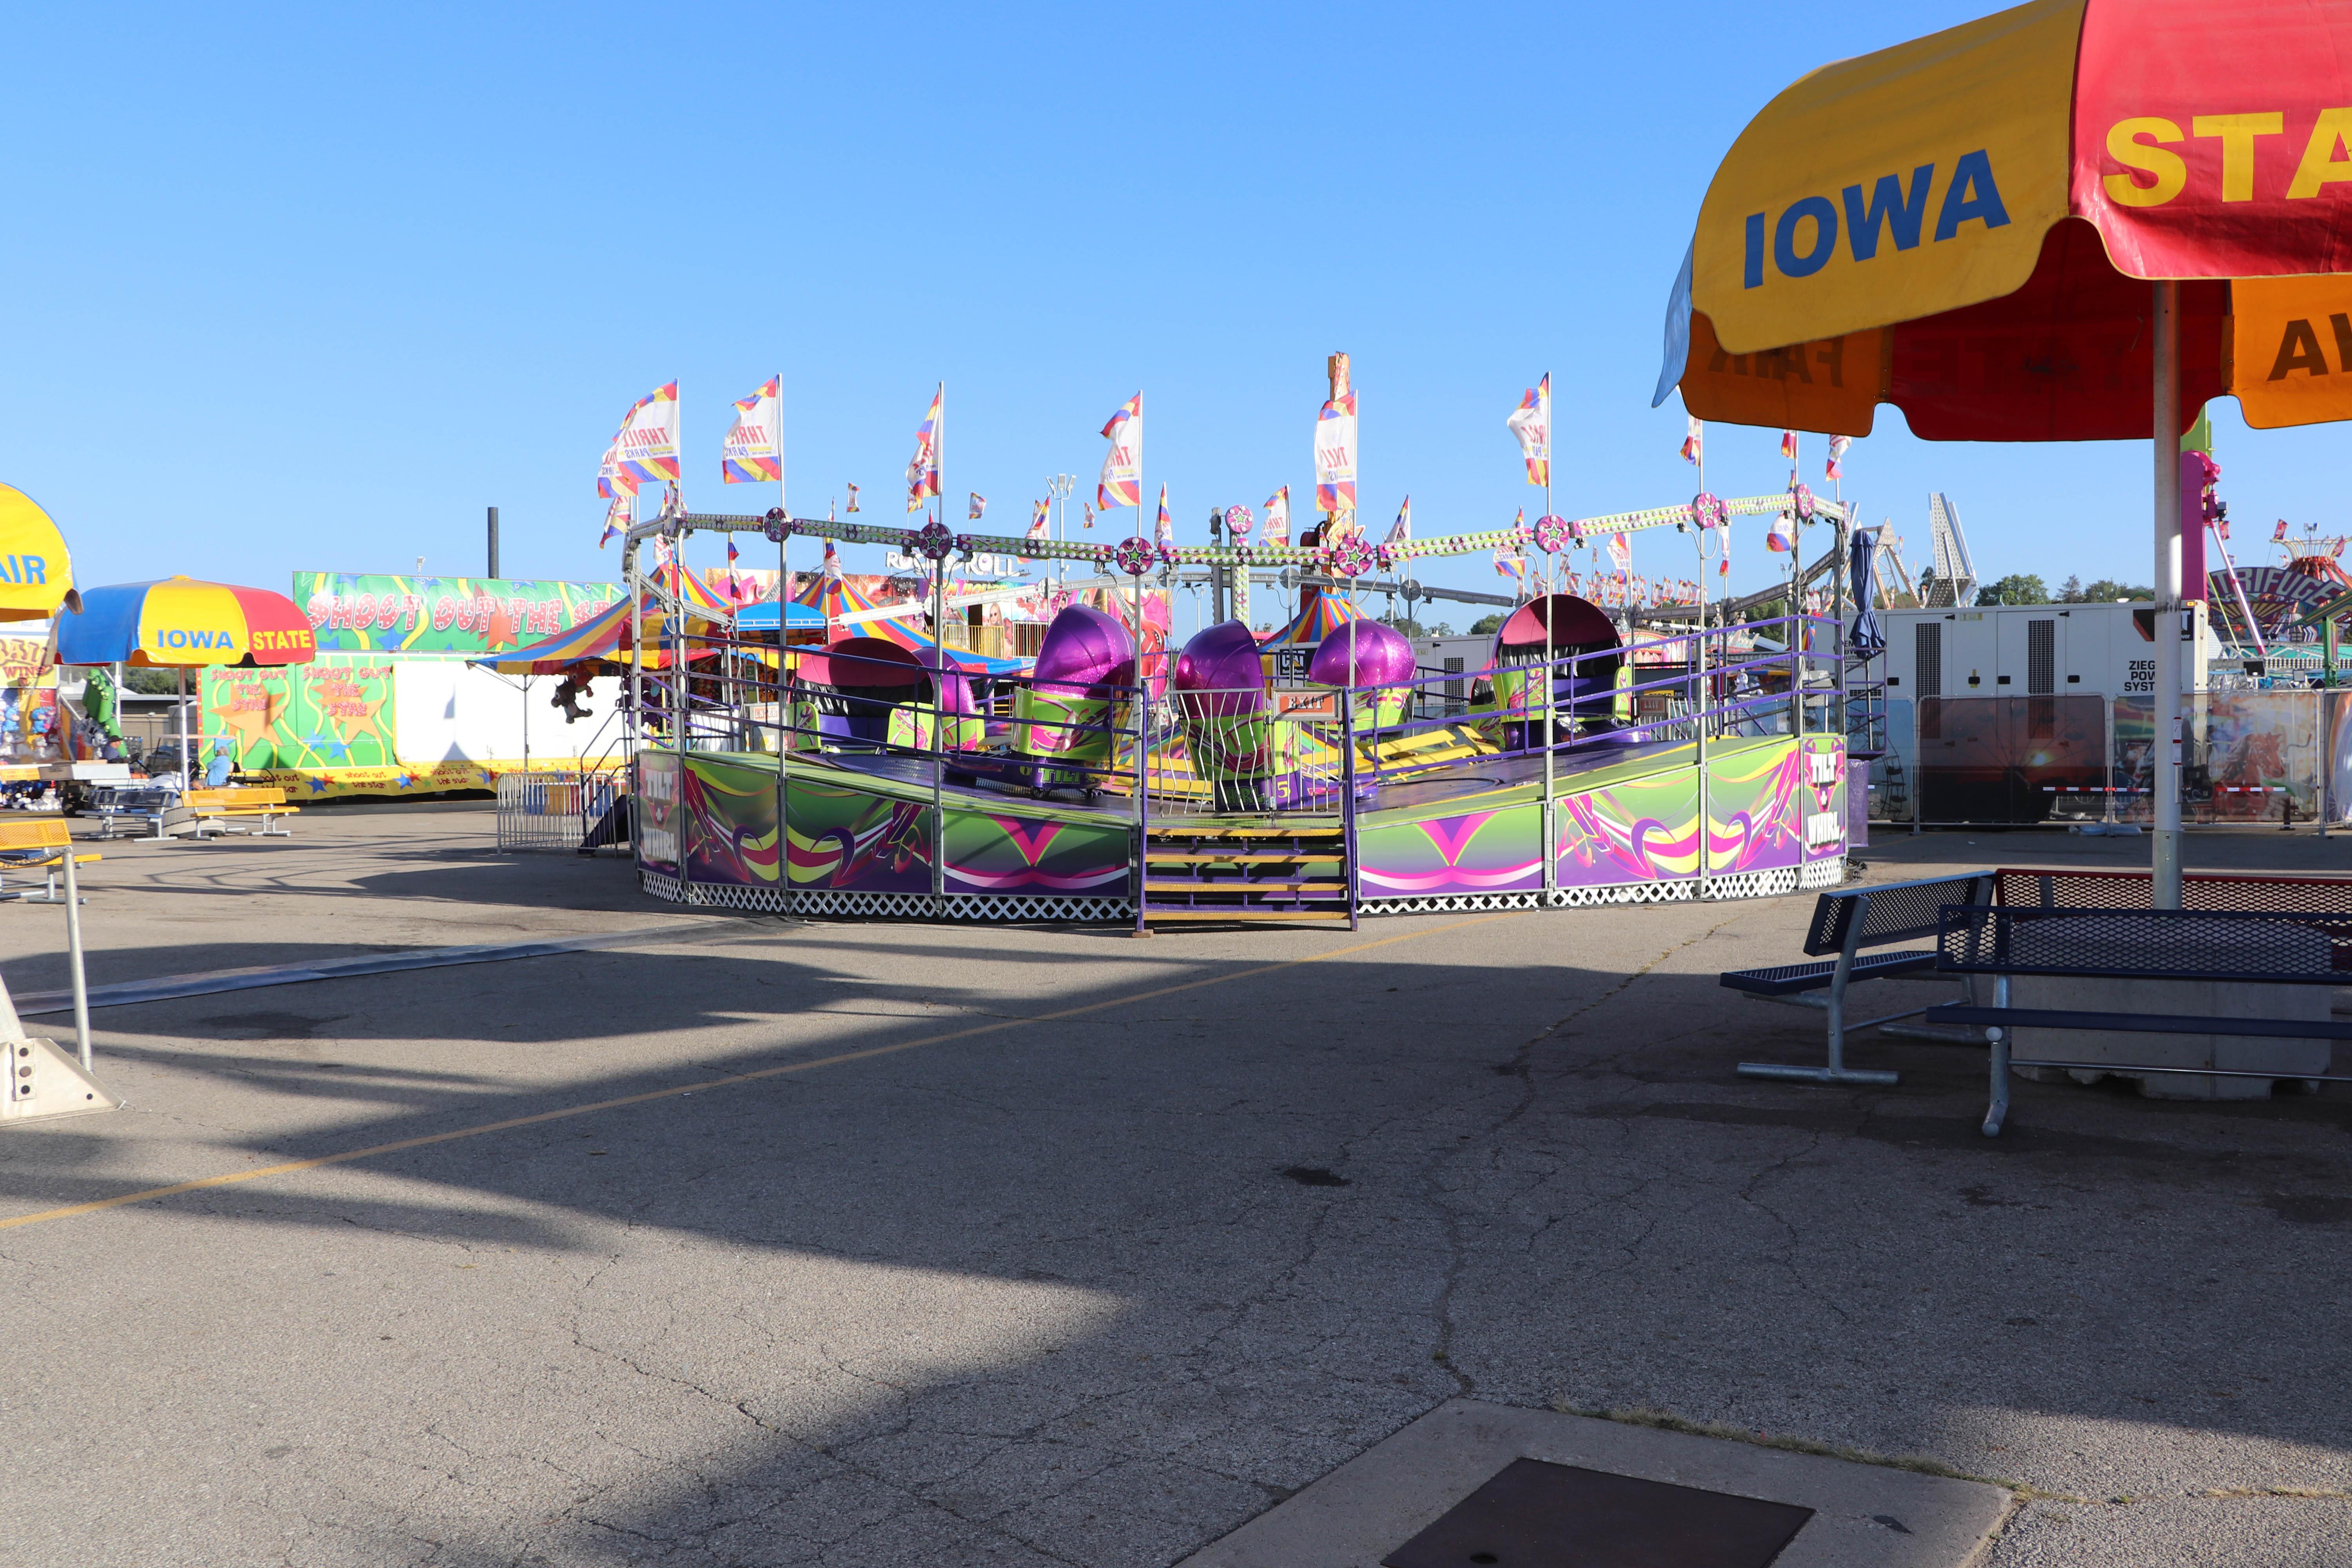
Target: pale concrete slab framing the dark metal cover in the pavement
(1864,1515)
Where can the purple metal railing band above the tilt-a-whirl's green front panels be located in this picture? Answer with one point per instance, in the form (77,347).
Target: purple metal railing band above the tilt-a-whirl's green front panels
(1259,751)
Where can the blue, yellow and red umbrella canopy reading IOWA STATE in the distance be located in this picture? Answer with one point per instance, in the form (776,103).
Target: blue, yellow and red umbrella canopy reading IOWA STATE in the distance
(182,624)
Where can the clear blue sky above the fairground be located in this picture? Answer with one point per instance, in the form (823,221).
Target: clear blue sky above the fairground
(314,286)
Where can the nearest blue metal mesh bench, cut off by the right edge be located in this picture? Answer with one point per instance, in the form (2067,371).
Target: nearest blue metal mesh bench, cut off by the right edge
(2137,946)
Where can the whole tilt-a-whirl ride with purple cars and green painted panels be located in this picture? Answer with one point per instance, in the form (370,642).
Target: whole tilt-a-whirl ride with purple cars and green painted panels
(881,775)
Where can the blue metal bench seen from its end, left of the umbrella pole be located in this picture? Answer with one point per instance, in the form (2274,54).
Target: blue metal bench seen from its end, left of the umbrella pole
(1845,923)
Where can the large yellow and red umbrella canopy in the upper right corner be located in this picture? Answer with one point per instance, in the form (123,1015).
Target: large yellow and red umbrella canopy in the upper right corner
(1963,227)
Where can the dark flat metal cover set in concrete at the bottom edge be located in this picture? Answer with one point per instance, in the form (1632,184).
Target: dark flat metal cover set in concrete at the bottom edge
(1537,1515)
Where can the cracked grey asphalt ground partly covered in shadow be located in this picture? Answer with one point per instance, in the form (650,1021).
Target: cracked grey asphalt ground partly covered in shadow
(1090,1289)
